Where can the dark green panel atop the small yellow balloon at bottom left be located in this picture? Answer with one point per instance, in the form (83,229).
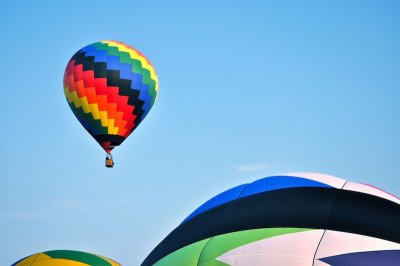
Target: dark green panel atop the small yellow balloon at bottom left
(78,256)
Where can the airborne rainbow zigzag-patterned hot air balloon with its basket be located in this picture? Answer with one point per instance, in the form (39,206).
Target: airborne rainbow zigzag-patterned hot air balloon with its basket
(110,87)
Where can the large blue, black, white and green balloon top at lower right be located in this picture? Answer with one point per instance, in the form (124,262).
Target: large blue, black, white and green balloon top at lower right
(302,219)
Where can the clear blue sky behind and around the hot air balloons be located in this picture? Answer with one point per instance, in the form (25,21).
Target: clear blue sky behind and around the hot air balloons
(246,89)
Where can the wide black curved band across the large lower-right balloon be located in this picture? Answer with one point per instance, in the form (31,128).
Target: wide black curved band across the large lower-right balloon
(318,208)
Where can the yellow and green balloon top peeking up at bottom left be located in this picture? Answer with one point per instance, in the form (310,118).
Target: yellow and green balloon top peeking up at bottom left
(64,258)
